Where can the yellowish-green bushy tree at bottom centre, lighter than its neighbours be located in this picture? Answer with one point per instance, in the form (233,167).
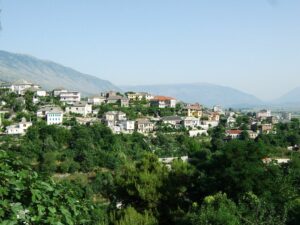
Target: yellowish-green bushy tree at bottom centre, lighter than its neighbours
(139,184)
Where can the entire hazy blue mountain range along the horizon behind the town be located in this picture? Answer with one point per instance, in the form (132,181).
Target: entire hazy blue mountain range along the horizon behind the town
(51,75)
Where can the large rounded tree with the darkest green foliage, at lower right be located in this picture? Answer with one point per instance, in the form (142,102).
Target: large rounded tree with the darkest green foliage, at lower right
(235,169)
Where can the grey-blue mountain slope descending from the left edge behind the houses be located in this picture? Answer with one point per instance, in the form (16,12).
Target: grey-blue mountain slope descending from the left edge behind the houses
(48,74)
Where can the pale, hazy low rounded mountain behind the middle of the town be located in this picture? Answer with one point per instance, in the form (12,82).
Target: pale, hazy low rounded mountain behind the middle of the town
(206,94)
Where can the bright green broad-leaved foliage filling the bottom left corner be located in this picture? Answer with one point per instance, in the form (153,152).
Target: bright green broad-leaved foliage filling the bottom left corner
(27,198)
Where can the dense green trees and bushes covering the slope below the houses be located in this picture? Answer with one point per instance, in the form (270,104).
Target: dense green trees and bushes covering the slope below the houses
(85,174)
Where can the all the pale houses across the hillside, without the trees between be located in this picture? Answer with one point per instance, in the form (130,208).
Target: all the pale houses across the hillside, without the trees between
(193,117)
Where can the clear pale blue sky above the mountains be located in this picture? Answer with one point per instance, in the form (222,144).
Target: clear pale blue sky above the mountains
(251,45)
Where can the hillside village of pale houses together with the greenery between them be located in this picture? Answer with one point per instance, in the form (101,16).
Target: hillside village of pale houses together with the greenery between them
(147,113)
